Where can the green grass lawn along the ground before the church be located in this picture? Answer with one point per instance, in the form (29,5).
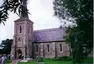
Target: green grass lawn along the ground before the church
(52,61)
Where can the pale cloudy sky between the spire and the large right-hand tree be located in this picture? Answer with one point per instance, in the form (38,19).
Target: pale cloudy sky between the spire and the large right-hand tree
(42,14)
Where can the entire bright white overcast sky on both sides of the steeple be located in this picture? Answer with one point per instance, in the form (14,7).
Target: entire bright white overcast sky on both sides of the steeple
(42,14)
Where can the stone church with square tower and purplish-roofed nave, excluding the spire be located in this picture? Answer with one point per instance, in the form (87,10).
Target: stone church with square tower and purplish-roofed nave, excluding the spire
(47,43)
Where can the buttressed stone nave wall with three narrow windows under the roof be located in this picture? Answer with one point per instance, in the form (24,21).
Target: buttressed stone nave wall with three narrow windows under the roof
(51,49)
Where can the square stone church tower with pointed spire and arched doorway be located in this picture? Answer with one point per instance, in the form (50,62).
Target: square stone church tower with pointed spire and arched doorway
(23,36)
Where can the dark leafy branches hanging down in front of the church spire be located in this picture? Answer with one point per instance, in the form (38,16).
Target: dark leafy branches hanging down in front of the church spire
(17,6)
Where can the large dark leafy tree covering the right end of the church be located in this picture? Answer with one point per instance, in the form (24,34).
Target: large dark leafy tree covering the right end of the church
(80,37)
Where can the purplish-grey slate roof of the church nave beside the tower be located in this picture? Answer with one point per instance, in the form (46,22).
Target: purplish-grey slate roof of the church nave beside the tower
(48,35)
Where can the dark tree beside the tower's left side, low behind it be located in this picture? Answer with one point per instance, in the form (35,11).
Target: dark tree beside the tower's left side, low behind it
(6,46)
